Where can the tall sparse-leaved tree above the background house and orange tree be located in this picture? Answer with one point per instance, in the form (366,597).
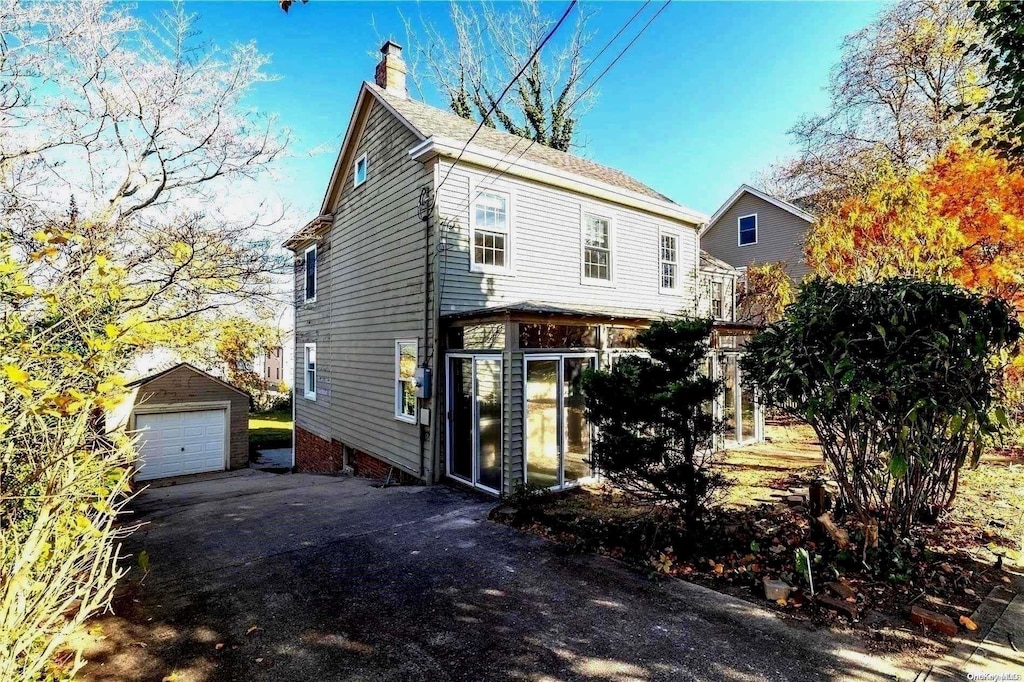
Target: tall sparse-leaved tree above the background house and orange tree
(898,99)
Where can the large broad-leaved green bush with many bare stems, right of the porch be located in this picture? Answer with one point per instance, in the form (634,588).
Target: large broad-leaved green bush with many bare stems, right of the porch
(900,380)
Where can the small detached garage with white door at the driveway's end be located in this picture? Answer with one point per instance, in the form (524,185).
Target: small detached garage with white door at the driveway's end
(188,422)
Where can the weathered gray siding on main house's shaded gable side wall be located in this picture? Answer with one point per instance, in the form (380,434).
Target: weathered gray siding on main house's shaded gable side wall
(371,288)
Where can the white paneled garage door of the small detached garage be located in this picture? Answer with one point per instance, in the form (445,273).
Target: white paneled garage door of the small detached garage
(175,444)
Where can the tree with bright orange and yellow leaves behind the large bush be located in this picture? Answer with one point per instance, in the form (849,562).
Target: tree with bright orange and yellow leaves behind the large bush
(961,220)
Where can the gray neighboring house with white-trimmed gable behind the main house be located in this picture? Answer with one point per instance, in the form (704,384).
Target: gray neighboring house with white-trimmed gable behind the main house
(755,228)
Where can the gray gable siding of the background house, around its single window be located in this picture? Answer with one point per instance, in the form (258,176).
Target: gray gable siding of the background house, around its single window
(781,237)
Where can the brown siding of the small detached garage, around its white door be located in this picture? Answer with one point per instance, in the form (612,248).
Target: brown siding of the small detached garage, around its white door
(185,386)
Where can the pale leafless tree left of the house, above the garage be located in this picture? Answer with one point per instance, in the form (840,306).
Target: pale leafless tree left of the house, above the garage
(144,129)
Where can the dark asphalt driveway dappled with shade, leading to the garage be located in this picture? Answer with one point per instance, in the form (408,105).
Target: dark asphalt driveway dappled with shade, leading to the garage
(264,577)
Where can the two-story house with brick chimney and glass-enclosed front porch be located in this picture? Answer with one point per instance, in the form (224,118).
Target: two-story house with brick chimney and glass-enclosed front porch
(452,292)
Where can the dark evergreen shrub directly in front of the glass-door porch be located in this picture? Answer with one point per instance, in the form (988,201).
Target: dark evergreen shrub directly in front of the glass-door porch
(656,435)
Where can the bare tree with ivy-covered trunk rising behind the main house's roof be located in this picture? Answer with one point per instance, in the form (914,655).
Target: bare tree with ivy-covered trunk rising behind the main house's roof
(492,45)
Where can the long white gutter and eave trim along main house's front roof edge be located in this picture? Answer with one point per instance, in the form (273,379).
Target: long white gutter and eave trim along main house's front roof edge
(508,164)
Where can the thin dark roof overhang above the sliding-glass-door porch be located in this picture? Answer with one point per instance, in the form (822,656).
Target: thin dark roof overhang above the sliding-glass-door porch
(537,312)
